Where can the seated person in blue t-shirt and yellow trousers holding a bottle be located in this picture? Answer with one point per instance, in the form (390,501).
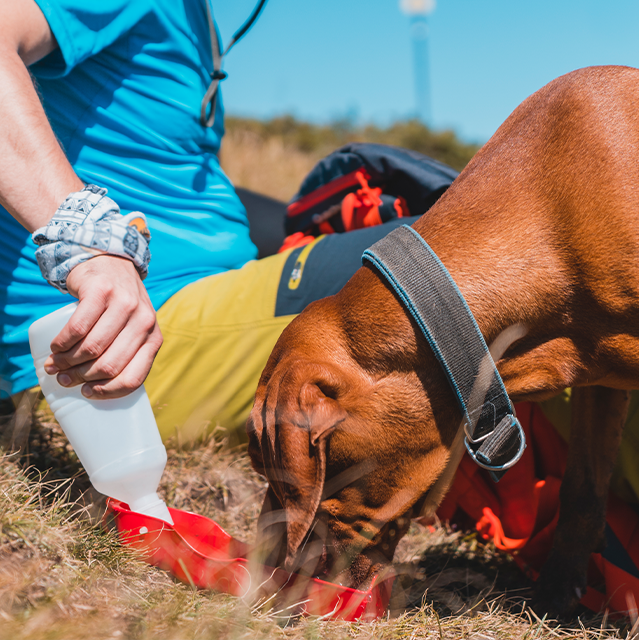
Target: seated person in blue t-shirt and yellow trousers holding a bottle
(101,142)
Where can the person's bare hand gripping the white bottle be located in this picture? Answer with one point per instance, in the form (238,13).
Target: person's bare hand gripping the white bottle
(110,342)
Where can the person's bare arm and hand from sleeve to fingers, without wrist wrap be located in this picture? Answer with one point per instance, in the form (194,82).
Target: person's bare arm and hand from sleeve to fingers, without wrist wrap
(111,340)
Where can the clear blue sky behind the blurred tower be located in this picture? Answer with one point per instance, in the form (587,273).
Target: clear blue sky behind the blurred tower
(323,60)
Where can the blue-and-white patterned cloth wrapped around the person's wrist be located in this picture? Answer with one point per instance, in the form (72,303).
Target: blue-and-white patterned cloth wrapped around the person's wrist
(88,224)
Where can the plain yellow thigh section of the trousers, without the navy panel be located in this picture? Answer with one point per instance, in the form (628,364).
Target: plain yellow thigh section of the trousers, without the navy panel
(218,334)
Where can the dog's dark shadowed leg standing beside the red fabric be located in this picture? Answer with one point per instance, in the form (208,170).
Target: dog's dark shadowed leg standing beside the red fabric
(598,417)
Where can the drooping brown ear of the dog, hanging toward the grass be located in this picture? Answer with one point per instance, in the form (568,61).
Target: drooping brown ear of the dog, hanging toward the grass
(297,450)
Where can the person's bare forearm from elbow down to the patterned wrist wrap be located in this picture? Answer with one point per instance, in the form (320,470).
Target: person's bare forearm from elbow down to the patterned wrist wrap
(35,176)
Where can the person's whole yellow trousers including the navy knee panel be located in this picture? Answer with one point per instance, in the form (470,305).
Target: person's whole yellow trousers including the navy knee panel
(219,331)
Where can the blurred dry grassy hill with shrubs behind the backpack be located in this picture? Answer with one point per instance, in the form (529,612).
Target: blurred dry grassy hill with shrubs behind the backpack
(273,156)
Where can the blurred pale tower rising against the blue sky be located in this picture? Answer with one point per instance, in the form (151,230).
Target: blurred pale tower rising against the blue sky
(418,10)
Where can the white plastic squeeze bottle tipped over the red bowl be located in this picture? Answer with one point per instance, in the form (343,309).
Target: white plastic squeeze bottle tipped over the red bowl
(117,441)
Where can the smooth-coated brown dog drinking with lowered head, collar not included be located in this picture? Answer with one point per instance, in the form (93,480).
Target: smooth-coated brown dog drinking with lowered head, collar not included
(354,420)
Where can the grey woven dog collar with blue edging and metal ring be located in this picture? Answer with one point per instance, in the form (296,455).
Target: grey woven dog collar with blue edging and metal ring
(493,436)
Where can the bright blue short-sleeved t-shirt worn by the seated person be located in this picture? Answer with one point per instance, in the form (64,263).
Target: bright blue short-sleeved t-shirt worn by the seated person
(123,94)
